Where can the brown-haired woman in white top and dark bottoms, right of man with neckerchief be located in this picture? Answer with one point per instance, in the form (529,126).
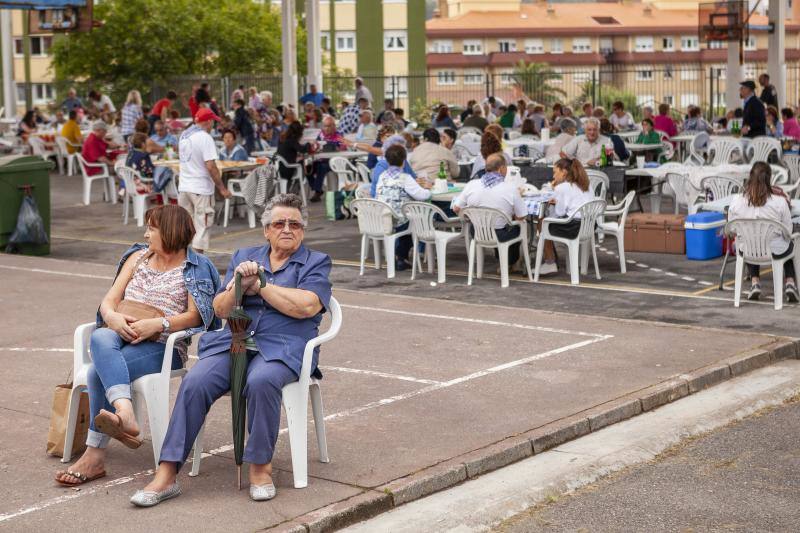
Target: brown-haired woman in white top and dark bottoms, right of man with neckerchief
(571,188)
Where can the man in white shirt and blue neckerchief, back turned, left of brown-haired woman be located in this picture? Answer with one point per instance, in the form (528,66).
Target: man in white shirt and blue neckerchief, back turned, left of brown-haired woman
(491,190)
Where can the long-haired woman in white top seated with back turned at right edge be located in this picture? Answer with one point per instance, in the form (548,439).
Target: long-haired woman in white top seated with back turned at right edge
(760,200)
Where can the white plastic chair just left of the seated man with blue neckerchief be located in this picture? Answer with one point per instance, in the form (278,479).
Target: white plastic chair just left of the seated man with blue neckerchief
(420,216)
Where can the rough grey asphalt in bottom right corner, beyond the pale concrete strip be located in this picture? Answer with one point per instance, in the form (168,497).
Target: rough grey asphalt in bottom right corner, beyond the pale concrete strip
(740,478)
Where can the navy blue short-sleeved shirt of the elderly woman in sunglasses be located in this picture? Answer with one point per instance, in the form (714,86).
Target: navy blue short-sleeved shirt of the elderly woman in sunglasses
(279,337)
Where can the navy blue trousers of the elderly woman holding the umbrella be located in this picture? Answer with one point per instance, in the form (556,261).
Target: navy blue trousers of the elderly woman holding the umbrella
(206,382)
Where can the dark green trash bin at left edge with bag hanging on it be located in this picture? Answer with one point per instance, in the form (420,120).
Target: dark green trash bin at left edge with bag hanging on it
(17,172)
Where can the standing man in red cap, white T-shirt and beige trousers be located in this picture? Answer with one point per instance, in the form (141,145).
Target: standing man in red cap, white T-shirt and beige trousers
(199,175)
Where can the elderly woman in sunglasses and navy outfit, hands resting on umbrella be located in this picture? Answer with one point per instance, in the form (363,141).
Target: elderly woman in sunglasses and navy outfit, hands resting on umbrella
(286,314)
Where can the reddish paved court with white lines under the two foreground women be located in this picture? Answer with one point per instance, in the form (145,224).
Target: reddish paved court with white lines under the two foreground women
(419,395)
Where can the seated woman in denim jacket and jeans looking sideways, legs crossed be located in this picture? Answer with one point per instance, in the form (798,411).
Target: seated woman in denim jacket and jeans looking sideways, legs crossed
(168,275)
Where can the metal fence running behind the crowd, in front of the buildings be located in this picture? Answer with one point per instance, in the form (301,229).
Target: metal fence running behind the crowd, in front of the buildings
(676,85)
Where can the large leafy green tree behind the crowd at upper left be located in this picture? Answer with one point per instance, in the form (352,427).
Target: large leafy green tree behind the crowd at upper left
(143,41)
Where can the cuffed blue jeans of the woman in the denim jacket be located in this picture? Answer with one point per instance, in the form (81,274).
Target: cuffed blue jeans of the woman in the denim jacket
(117,364)
